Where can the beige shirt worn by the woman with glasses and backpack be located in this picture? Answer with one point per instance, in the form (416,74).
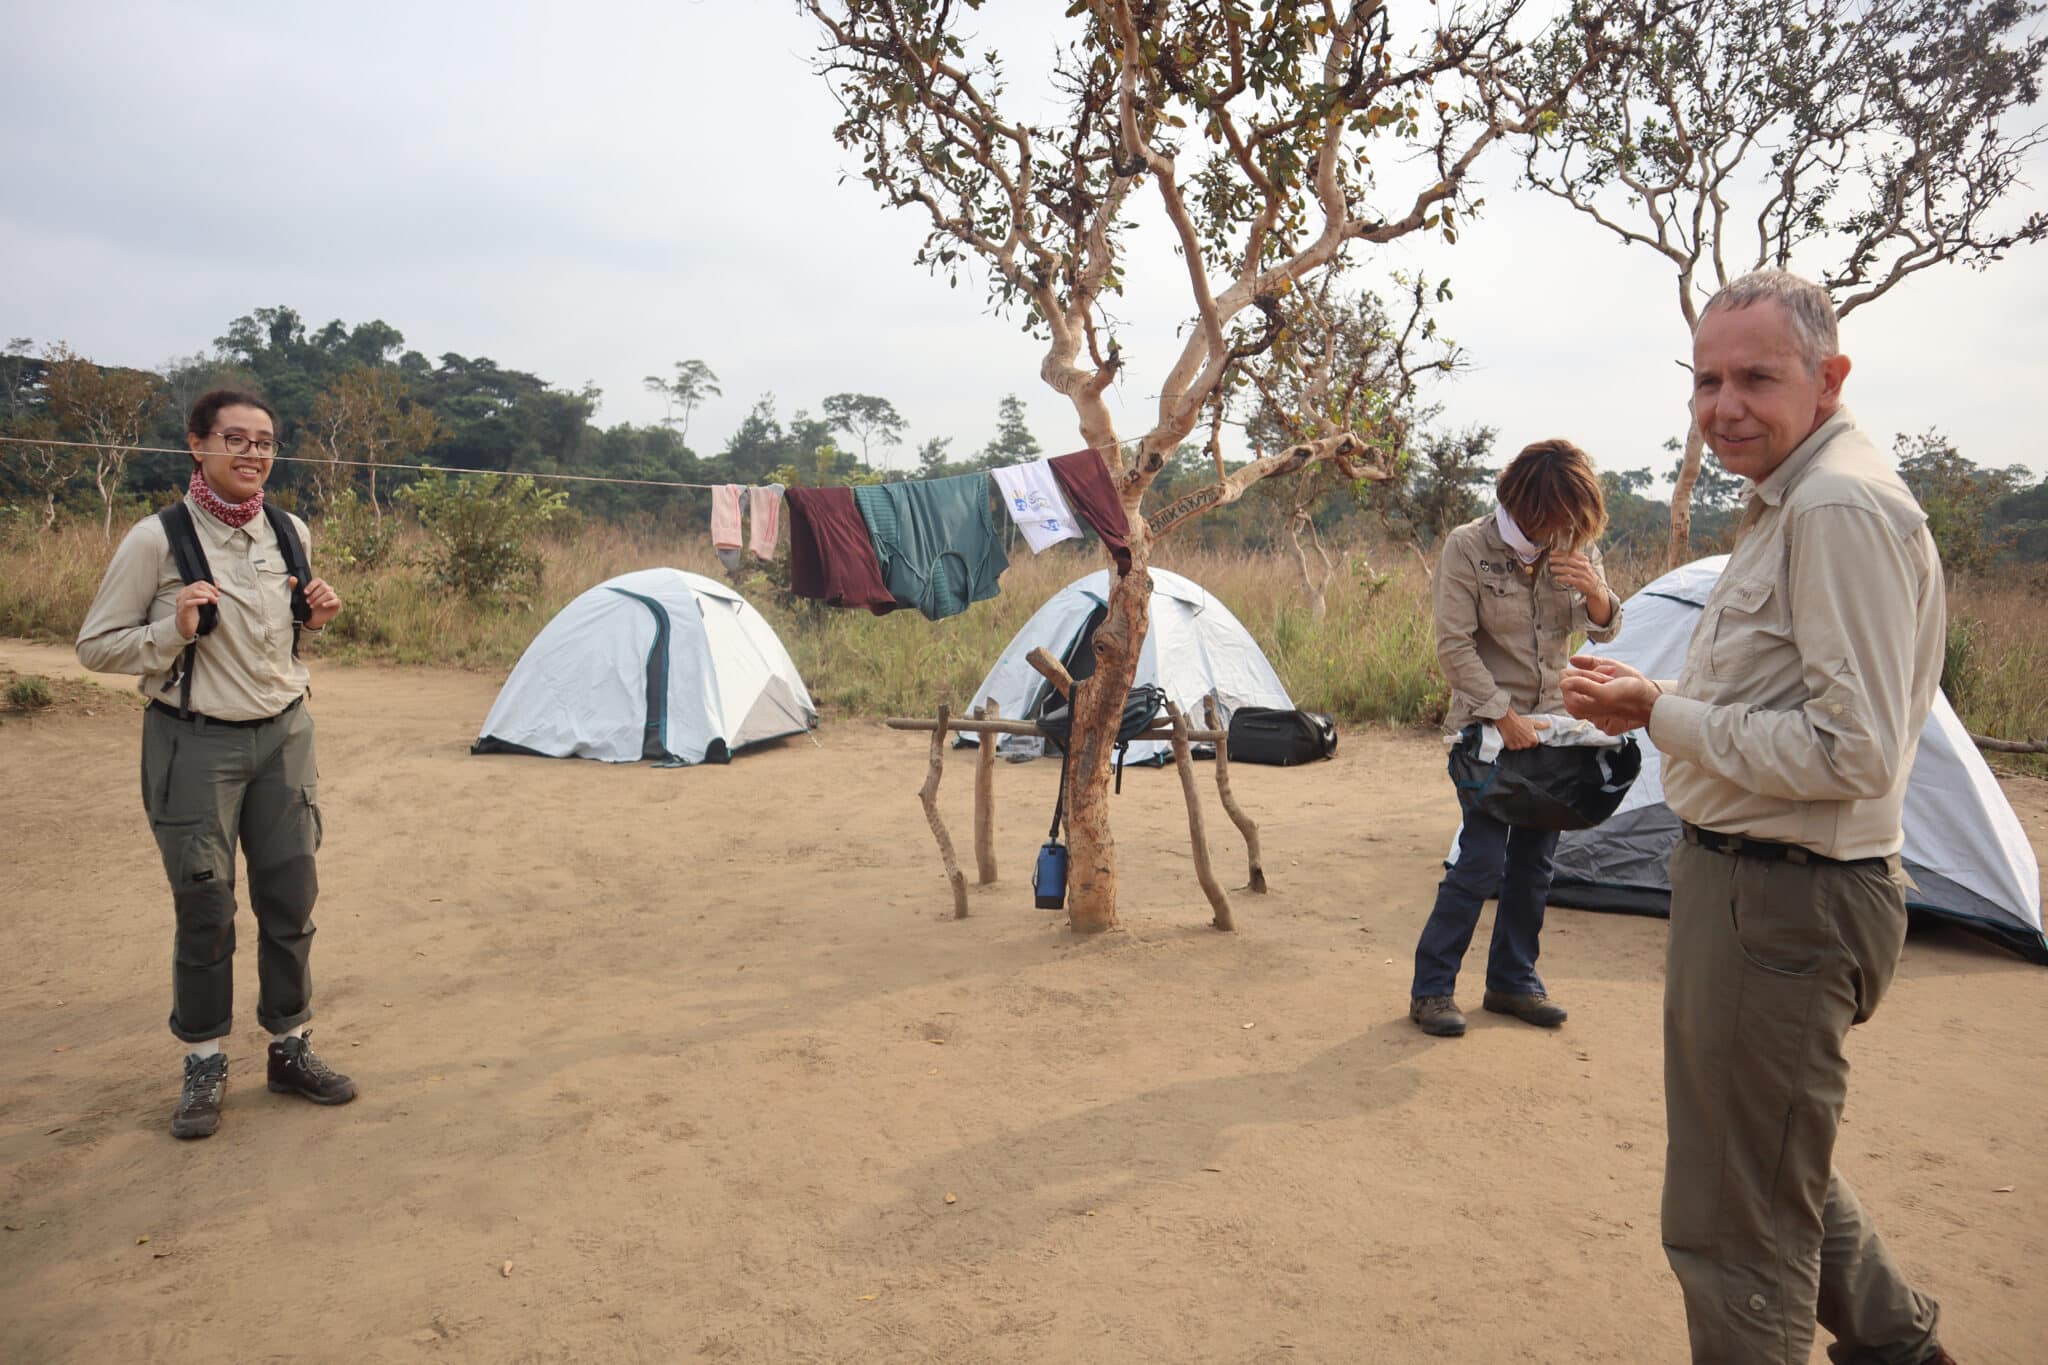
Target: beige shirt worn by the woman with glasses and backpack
(245,668)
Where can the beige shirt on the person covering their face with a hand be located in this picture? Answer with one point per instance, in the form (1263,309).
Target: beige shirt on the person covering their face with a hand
(1504,629)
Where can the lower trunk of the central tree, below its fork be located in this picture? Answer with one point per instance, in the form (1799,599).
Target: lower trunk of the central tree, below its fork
(1099,711)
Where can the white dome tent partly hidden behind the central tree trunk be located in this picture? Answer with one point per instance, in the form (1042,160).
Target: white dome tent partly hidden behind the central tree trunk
(1193,648)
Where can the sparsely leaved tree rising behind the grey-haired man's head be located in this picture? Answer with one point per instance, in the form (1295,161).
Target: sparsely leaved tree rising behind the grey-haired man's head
(1863,138)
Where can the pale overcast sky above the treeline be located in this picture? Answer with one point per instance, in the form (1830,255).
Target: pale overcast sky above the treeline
(599,191)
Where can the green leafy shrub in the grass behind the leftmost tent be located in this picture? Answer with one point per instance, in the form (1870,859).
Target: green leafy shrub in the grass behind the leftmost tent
(482,533)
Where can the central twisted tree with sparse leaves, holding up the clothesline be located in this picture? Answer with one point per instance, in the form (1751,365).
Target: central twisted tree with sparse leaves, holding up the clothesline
(1261,136)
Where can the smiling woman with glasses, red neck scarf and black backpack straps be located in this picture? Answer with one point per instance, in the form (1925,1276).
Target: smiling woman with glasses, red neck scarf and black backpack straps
(226,744)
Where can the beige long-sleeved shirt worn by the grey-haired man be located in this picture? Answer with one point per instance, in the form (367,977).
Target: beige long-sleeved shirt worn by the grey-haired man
(1816,660)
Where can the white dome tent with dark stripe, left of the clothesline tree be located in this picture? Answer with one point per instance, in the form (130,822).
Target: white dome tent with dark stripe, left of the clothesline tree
(656,664)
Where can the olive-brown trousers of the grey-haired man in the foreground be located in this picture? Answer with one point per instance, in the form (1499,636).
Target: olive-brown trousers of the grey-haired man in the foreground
(1770,967)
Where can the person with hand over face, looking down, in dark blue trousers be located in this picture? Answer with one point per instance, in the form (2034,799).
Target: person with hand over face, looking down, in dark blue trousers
(1512,590)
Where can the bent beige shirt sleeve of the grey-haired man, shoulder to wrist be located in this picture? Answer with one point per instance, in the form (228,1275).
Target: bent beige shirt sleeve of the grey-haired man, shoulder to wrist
(1854,586)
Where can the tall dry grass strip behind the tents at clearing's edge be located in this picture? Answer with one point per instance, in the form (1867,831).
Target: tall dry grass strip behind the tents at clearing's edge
(1369,658)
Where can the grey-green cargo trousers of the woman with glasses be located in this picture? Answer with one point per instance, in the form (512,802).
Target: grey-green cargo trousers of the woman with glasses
(210,787)
